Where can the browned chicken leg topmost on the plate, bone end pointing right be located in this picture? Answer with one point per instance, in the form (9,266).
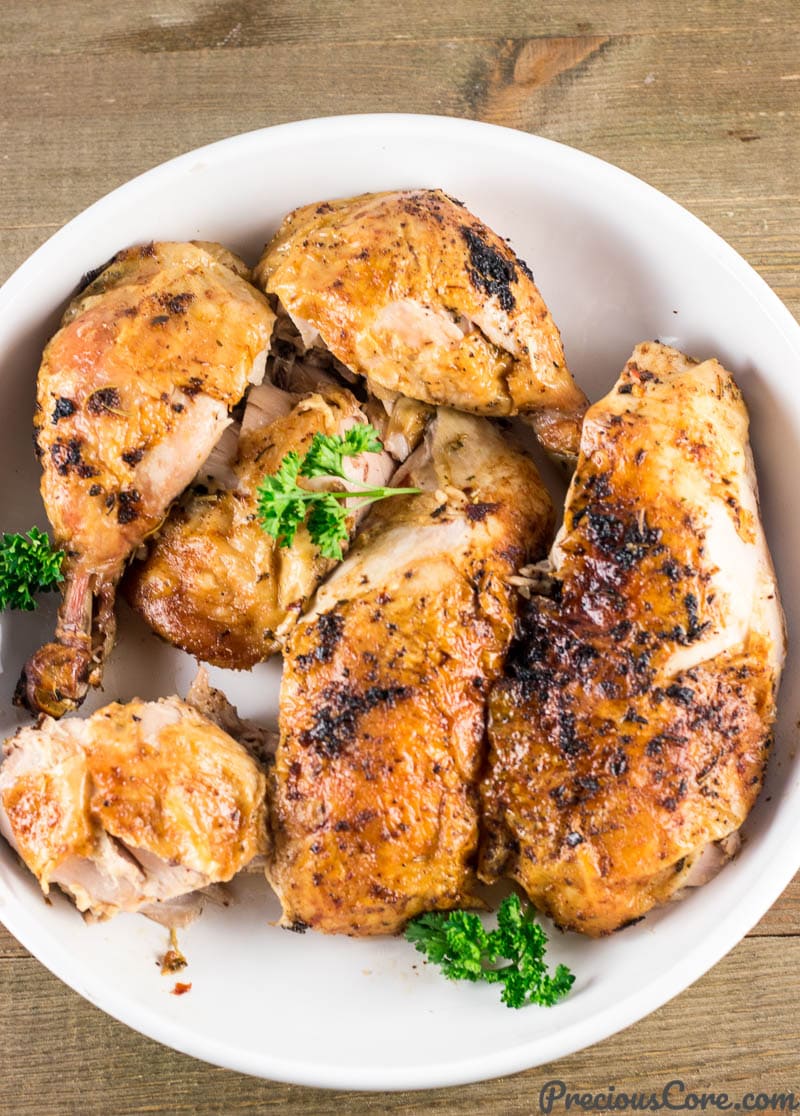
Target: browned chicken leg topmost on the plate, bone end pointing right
(412,292)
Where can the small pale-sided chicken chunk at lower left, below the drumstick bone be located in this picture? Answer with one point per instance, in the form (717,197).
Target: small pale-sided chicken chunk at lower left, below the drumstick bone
(134,807)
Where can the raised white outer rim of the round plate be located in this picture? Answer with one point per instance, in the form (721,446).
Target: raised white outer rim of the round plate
(577,1036)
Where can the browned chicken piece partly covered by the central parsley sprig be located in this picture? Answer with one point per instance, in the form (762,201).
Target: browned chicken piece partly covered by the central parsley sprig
(215,583)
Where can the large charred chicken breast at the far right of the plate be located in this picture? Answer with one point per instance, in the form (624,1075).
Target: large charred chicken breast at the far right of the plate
(632,728)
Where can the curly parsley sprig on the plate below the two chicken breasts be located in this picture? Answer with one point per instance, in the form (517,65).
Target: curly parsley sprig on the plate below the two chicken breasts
(461,946)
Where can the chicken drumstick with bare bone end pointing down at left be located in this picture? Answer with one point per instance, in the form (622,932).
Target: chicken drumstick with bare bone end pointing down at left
(133,393)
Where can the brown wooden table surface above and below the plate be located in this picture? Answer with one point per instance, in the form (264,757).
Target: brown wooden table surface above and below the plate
(702,100)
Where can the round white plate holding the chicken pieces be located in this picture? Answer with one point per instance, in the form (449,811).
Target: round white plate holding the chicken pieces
(618,264)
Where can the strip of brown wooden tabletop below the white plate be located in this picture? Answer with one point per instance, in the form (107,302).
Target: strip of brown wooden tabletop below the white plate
(735,1031)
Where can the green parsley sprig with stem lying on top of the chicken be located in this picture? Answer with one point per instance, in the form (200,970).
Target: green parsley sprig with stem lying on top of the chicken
(285,505)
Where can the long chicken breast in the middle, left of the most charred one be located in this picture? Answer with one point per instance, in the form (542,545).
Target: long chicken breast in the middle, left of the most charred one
(374,805)
